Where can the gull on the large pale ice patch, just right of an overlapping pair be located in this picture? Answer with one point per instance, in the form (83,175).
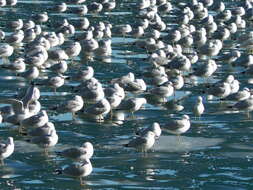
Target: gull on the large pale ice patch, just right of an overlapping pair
(178,126)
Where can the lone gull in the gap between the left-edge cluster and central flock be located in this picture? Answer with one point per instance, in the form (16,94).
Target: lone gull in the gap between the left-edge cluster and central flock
(73,105)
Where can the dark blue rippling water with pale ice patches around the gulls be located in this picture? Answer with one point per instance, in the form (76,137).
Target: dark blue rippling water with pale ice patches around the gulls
(216,153)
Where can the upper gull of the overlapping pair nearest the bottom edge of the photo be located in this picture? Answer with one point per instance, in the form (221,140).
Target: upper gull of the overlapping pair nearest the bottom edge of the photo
(78,153)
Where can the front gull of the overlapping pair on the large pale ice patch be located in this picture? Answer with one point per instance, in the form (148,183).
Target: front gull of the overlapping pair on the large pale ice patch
(142,143)
